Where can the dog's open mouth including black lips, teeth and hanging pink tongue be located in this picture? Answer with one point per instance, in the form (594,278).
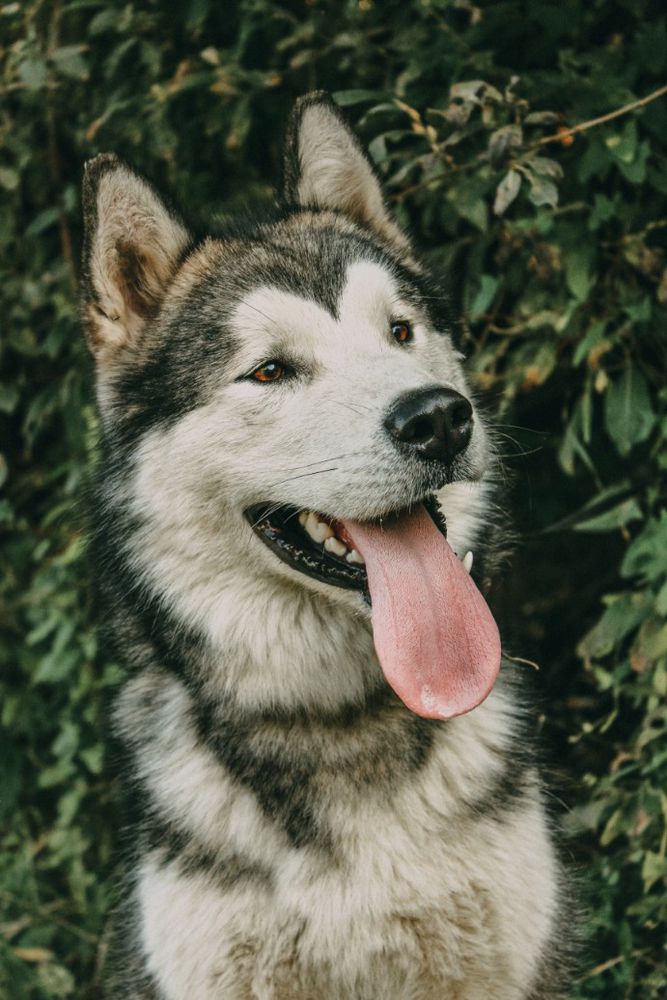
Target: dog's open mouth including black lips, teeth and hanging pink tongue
(434,635)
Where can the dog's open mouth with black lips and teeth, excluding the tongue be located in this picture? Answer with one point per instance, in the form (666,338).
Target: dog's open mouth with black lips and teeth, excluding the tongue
(319,545)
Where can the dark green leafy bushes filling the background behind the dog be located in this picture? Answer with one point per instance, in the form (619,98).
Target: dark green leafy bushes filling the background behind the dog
(556,249)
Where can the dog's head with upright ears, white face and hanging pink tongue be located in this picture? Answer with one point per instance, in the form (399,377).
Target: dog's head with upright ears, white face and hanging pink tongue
(291,408)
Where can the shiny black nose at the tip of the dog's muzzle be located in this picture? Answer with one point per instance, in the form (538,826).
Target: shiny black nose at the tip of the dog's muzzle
(433,423)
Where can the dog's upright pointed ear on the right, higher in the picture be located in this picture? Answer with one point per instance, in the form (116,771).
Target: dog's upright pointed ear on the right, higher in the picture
(325,167)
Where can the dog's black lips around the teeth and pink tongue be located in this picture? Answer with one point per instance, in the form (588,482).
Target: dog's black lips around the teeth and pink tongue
(280,530)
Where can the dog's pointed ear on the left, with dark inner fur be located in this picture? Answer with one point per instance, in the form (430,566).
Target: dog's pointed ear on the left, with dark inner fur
(132,247)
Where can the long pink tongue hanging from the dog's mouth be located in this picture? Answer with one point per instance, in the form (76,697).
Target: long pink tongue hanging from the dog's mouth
(436,639)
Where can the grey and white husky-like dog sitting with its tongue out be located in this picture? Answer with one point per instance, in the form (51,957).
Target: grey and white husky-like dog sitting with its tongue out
(331,789)
